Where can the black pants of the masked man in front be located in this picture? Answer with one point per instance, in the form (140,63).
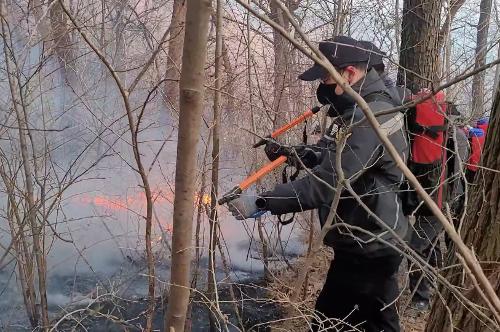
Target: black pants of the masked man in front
(355,292)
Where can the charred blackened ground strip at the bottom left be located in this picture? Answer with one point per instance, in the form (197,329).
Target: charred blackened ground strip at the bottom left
(114,314)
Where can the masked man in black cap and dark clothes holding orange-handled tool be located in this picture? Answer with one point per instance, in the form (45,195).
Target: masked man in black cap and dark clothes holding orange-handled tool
(361,285)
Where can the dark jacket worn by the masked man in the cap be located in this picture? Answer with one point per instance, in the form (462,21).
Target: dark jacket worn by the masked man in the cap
(375,178)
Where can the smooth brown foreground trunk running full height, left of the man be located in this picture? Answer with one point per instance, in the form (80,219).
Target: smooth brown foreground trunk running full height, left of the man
(191,106)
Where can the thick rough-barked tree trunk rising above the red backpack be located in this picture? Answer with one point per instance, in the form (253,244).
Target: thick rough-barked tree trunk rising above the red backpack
(419,53)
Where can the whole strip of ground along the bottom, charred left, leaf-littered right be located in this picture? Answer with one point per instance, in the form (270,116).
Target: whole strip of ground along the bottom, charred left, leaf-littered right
(262,307)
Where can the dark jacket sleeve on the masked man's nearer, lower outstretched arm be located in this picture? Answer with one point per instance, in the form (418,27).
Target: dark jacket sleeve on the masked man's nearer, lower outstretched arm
(362,149)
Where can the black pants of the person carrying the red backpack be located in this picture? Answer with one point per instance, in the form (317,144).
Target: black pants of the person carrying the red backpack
(425,242)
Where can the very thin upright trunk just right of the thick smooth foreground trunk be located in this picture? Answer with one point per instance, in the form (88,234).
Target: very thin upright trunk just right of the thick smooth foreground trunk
(213,218)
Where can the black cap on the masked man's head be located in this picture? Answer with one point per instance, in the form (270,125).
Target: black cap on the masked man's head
(341,51)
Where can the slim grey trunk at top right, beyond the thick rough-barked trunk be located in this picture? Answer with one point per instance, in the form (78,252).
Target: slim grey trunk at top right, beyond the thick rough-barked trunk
(481,50)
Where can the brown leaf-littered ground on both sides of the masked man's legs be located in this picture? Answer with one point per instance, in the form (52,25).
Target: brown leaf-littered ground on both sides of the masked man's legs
(296,316)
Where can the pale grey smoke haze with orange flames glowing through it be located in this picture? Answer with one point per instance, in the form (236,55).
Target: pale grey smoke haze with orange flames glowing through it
(95,228)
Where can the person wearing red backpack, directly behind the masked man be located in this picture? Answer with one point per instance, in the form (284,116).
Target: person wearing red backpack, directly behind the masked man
(435,160)
